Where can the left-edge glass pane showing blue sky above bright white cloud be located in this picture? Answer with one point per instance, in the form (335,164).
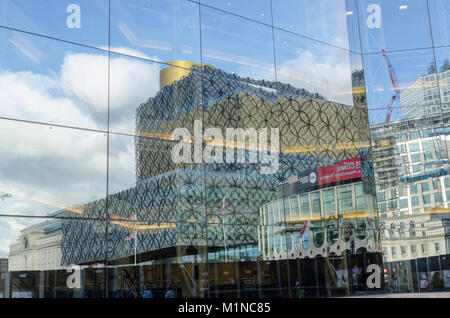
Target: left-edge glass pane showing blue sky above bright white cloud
(53,82)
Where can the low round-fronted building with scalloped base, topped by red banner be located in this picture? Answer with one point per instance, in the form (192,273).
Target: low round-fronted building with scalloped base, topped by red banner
(321,212)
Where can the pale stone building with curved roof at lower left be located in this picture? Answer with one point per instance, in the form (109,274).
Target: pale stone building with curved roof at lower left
(38,248)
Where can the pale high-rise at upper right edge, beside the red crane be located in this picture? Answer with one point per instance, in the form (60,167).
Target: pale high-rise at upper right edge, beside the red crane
(423,97)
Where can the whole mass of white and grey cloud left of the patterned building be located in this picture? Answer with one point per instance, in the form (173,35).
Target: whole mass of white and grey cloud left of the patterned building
(47,168)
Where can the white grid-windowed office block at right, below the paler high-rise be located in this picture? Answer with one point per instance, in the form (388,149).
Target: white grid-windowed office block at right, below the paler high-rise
(411,165)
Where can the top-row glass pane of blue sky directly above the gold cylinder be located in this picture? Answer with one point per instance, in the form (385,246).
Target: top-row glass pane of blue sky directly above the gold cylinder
(163,30)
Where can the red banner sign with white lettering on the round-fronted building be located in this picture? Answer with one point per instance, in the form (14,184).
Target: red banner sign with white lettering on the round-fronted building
(343,170)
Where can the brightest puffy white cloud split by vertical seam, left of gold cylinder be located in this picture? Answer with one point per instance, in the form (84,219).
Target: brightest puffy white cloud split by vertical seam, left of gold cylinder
(132,82)
